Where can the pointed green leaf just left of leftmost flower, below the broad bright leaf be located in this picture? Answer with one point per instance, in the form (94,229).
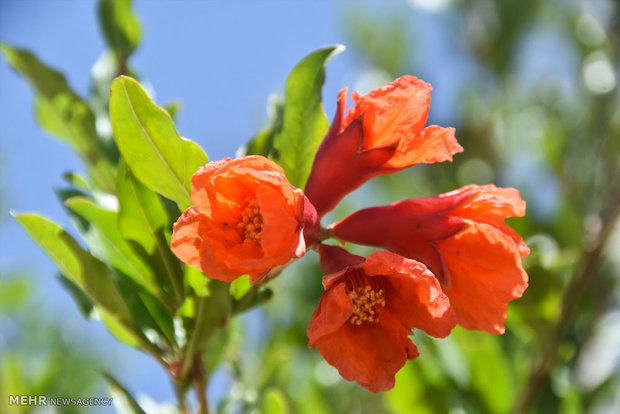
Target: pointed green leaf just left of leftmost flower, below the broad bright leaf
(142,218)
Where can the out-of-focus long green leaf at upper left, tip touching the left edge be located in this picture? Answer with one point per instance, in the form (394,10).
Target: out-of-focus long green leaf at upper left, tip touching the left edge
(62,113)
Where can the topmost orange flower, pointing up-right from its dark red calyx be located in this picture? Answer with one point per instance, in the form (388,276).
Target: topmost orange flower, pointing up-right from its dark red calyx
(384,133)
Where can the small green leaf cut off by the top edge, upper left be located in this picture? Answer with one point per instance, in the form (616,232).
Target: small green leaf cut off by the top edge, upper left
(120,26)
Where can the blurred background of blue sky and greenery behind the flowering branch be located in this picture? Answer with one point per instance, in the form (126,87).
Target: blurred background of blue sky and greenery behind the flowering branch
(531,87)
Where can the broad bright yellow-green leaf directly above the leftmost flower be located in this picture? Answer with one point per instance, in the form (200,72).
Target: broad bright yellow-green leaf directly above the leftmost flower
(150,144)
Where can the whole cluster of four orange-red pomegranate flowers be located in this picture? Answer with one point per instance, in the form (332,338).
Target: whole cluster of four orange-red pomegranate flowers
(447,260)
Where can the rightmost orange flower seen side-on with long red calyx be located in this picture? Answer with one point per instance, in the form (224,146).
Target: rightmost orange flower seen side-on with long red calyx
(462,238)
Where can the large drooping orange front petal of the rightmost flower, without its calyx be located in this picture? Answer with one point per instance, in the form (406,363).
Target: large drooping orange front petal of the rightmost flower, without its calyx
(486,273)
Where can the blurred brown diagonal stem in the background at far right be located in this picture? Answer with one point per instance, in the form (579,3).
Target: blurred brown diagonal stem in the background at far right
(542,367)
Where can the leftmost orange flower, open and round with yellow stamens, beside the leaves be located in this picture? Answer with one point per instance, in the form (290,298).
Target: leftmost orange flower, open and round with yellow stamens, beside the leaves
(247,219)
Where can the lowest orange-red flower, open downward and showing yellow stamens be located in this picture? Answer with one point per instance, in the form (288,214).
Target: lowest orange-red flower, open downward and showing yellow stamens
(363,321)
